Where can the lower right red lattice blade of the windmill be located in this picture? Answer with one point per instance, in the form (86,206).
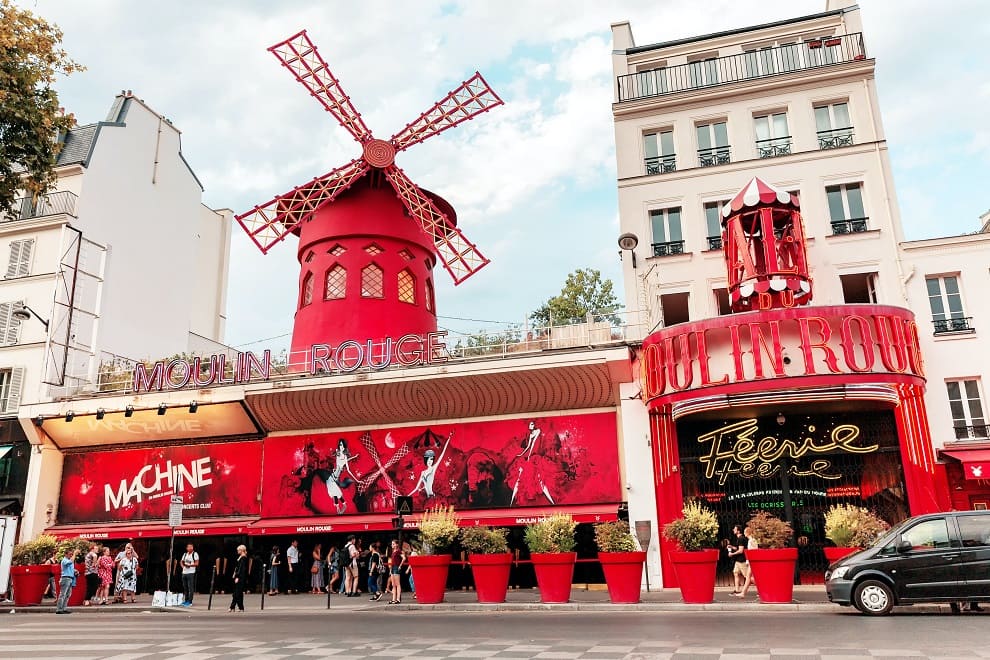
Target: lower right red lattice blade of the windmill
(457,254)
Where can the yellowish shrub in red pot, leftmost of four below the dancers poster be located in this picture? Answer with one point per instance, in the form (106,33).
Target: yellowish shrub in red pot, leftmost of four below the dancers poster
(437,532)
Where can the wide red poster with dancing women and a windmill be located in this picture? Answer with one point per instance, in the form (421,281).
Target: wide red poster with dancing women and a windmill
(528,461)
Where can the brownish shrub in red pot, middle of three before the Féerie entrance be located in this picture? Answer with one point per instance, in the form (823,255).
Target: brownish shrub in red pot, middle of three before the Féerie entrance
(772,563)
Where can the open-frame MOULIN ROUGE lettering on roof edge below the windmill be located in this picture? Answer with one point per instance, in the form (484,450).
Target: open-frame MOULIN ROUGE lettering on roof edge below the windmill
(347,357)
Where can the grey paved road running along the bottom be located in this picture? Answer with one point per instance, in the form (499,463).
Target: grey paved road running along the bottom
(553,635)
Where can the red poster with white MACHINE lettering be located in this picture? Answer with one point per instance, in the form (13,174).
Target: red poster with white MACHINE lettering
(220,479)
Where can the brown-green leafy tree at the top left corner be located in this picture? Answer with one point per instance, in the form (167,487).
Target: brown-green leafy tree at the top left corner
(30,118)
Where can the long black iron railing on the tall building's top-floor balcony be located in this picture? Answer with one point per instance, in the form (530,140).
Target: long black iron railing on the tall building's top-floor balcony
(752,64)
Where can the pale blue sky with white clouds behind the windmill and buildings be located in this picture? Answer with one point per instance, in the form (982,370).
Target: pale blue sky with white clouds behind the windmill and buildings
(533,181)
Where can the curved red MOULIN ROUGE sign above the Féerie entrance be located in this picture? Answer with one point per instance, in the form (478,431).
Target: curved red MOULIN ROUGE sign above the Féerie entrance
(809,341)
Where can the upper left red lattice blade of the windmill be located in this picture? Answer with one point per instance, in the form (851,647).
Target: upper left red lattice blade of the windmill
(299,55)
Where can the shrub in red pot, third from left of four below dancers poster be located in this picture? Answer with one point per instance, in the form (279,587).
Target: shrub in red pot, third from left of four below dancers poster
(551,546)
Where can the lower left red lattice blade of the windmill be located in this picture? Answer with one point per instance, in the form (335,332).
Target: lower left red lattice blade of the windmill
(269,223)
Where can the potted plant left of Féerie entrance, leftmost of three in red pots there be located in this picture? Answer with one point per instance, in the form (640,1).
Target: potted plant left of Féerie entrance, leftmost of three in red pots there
(695,559)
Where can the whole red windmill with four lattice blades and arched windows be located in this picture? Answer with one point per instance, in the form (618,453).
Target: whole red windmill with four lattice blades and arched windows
(366,270)
